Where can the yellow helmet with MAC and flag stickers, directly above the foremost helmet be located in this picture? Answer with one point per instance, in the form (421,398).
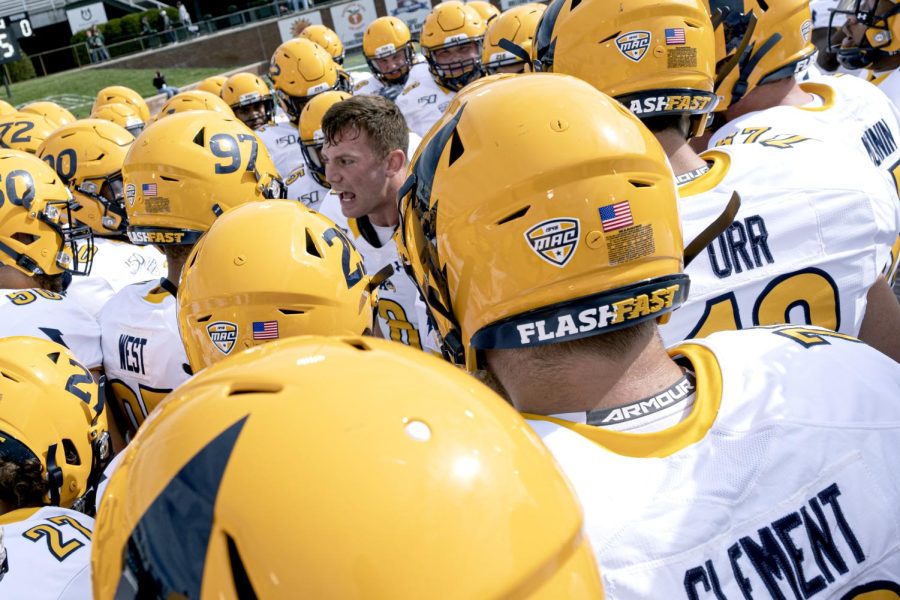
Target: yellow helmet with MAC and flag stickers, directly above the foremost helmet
(300,276)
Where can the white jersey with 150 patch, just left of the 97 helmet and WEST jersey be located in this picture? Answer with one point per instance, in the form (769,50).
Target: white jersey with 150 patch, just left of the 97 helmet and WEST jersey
(116,264)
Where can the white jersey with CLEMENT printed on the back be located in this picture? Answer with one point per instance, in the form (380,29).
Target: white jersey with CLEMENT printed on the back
(779,483)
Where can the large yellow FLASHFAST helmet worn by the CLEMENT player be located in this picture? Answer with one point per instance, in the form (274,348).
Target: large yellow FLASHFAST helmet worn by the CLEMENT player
(579,236)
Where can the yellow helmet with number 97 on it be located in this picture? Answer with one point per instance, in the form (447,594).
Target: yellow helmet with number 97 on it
(187,169)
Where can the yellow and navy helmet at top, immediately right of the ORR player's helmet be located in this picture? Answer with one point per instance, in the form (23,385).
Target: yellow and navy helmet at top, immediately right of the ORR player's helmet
(764,42)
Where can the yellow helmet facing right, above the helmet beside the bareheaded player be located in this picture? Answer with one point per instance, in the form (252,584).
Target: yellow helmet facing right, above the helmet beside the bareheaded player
(300,69)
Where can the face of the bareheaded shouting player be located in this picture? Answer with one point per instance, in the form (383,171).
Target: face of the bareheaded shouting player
(356,173)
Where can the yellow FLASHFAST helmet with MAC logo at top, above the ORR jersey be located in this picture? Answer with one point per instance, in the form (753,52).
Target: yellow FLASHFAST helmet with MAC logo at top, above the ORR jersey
(657,59)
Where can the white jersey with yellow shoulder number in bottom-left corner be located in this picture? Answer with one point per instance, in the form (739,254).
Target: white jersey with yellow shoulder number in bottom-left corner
(49,554)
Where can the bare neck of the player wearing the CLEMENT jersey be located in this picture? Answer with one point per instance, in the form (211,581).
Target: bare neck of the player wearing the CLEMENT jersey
(582,381)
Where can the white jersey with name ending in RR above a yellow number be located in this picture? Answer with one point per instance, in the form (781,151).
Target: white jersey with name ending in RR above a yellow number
(804,248)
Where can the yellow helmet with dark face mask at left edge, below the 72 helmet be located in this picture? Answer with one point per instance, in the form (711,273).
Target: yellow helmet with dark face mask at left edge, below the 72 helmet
(38,231)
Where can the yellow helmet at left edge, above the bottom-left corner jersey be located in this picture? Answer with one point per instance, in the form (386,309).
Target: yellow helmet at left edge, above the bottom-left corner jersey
(52,412)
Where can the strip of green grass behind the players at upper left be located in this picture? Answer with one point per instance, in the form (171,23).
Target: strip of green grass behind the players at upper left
(76,89)
